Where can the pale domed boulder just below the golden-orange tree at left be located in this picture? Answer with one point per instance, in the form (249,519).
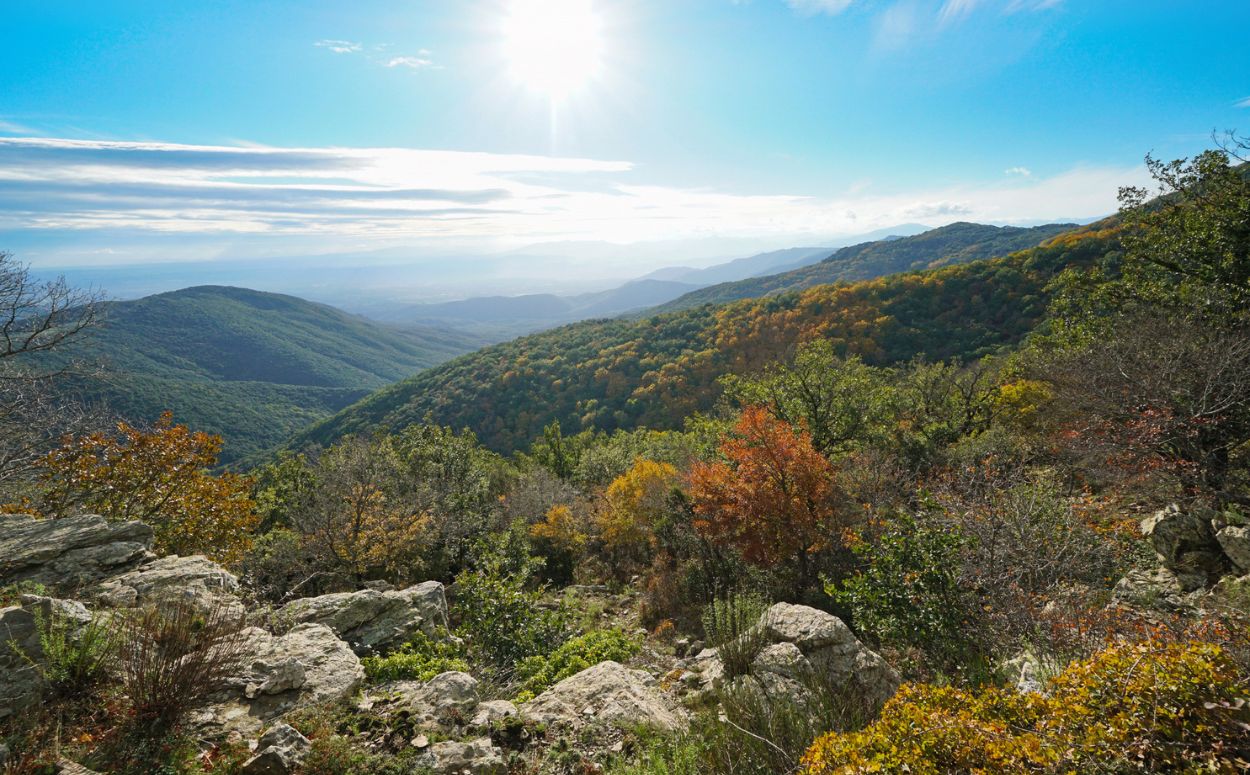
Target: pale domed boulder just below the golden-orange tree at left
(197,581)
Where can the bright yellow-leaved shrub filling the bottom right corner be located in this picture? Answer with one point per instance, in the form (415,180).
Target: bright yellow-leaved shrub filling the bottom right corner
(1143,707)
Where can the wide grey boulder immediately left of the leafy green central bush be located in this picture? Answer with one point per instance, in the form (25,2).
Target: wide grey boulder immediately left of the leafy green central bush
(376,622)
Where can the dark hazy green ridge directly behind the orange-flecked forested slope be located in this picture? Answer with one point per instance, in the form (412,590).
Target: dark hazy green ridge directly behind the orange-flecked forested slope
(954,244)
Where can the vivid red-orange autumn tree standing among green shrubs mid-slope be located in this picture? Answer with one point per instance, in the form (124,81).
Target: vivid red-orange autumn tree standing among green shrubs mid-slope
(773,497)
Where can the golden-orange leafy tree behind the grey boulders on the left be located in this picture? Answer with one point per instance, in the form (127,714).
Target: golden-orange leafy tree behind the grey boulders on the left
(161,477)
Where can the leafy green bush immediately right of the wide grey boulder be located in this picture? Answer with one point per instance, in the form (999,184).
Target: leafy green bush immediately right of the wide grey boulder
(501,611)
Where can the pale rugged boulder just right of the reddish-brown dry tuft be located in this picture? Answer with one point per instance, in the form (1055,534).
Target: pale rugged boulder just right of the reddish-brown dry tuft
(307,667)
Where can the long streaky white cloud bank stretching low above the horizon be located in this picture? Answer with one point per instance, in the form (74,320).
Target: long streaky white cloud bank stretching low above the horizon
(404,197)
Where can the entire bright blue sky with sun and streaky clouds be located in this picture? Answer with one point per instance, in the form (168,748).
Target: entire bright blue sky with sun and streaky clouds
(144,131)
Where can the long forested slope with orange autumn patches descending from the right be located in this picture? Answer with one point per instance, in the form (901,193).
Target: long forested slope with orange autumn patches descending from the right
(656,372)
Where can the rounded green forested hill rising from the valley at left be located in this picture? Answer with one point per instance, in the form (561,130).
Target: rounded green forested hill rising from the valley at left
(249,366)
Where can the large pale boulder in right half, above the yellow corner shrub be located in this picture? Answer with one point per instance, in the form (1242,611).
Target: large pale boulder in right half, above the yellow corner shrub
(807,644)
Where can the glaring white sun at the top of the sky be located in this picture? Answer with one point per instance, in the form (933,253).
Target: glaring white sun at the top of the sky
(553,47)
